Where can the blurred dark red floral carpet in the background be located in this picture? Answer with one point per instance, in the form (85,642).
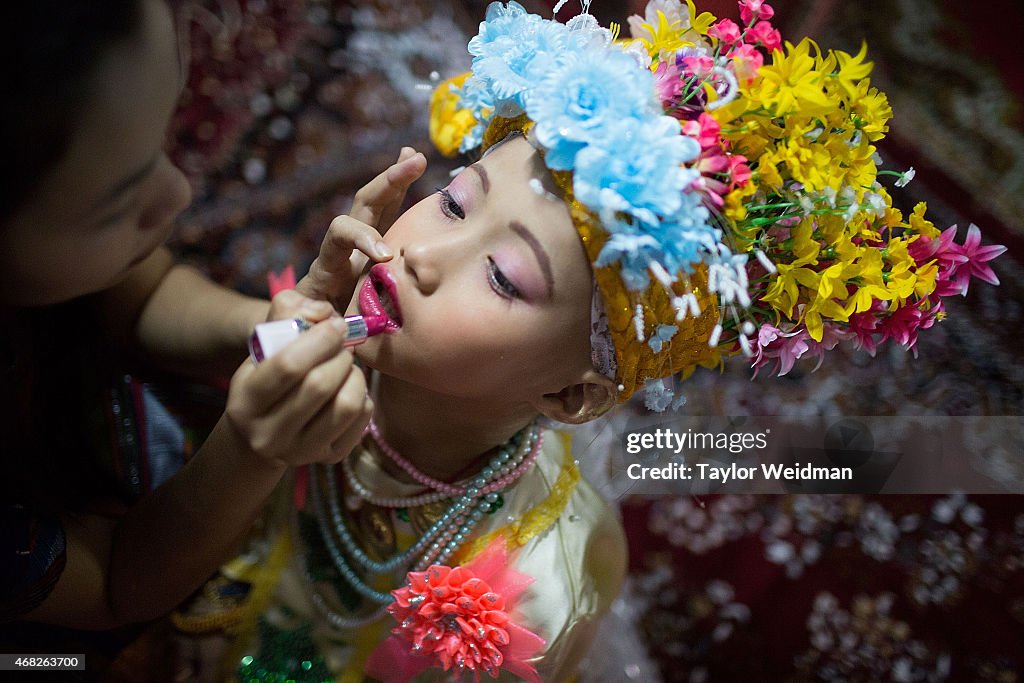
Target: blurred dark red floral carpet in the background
(293,105)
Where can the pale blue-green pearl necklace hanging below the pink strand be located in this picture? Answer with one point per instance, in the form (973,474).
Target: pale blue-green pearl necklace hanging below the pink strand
(443,539)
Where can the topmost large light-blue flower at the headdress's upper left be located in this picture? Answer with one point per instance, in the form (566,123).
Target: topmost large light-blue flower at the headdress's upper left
(513,53)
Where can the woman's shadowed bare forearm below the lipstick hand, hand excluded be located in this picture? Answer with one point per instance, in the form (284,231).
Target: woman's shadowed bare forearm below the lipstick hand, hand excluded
(139,567)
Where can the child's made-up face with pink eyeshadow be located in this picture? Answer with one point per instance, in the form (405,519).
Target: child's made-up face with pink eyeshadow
(493,286)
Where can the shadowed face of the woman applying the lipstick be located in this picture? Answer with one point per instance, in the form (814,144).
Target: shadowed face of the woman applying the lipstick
(112,200)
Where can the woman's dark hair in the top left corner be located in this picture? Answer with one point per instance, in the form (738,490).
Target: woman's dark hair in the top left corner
(50,50)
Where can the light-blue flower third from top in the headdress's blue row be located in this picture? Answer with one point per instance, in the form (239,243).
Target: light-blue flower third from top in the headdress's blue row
(637,169)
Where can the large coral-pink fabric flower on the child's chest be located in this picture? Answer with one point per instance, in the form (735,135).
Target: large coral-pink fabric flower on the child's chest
(459,618)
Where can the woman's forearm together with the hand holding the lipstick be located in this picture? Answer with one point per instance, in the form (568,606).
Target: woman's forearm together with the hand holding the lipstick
(308,404)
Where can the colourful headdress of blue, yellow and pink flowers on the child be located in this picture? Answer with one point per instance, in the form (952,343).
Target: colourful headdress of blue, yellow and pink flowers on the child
(724,184)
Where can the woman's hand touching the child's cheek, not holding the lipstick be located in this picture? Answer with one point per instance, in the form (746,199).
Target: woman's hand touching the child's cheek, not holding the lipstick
(354,238)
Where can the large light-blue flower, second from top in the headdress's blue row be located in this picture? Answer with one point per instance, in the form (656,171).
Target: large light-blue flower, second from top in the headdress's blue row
(583,96)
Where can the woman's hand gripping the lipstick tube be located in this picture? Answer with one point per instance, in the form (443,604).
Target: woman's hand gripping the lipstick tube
(309,403)
